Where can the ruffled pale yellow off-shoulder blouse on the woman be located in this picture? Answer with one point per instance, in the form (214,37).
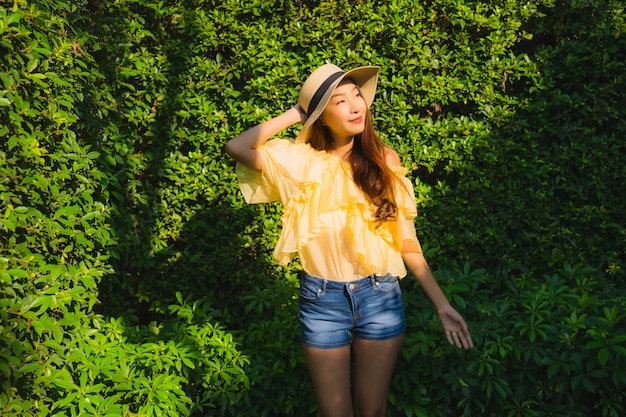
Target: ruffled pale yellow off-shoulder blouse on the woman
(327,220)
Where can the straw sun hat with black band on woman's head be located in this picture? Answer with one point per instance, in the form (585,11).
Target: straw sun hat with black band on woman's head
(318,88)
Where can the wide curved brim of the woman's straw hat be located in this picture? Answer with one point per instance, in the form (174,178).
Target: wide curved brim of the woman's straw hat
(366,78)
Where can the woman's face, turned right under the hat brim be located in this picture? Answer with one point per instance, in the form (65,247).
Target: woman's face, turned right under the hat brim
(345,113)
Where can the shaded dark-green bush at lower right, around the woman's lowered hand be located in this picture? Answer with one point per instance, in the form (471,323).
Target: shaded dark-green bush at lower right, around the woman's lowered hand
(546,346)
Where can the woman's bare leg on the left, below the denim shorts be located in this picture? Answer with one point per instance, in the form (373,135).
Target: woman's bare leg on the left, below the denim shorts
(330,373)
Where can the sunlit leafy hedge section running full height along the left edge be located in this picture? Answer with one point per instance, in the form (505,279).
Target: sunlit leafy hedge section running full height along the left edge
(54,226)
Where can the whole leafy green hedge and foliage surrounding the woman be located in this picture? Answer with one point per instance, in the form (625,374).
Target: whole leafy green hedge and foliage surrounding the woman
(135,281)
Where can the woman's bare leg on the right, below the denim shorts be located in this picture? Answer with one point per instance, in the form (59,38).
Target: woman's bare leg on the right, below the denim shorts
(374,363)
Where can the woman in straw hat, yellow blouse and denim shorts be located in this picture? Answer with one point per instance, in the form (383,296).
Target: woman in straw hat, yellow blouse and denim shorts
(348,214)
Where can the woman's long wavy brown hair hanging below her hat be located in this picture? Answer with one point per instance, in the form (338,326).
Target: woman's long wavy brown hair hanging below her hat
(369,167)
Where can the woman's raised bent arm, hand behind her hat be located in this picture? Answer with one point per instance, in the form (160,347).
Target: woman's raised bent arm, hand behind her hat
(244,148)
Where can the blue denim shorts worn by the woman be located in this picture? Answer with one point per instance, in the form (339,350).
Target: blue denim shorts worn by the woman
(331,312)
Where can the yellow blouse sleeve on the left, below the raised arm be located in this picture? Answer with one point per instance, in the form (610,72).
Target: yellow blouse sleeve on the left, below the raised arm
(285,165)
